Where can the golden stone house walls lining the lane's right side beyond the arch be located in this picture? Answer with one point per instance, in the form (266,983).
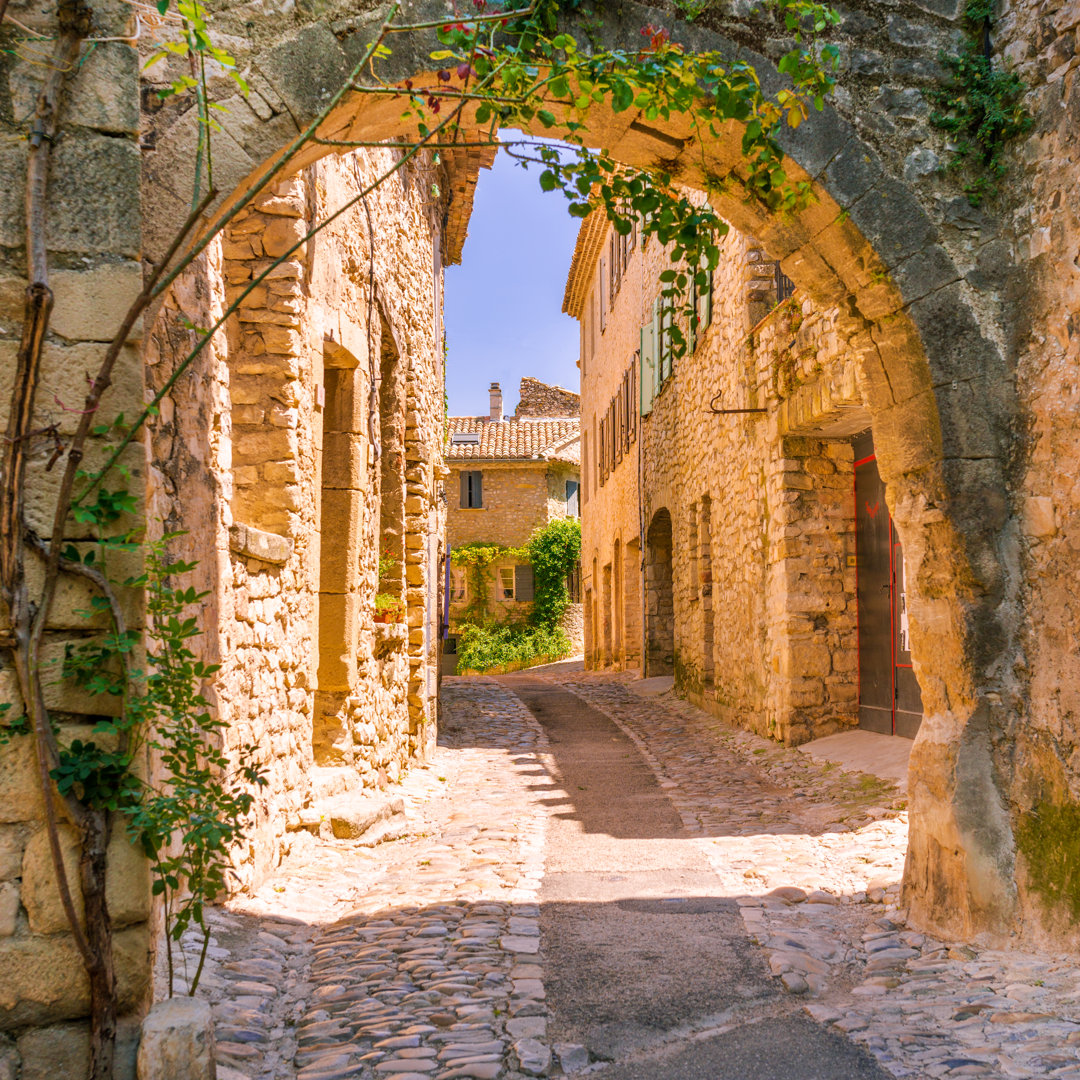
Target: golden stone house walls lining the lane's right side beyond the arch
(763,629)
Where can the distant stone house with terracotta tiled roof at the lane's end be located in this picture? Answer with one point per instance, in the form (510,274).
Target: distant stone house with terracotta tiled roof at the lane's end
(508,476)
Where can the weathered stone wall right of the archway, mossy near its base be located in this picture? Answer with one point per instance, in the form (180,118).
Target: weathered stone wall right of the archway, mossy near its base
(1022,253)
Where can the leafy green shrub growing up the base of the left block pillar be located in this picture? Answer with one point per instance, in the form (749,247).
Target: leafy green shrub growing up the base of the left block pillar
(191,818)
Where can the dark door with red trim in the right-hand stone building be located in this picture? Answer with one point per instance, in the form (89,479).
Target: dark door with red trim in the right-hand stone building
(889,698)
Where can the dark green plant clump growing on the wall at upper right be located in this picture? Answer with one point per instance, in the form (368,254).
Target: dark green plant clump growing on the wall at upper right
(982,111)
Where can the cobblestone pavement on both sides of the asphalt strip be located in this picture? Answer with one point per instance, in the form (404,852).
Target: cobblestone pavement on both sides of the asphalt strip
(418,958)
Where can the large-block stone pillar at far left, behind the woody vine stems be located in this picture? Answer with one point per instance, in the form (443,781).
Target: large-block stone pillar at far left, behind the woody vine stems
(94,244)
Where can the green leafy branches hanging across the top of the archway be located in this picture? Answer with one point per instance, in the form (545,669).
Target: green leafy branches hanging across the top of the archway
(530,74)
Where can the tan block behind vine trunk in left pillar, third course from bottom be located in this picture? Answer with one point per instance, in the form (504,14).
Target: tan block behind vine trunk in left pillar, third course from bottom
(128,890)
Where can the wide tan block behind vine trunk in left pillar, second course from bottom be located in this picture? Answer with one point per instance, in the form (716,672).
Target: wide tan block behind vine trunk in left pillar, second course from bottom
(43,980)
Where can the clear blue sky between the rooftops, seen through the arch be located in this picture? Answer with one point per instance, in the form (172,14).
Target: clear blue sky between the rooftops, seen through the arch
(505,303)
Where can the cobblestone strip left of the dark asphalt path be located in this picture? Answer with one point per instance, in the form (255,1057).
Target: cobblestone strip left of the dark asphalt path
(411,960)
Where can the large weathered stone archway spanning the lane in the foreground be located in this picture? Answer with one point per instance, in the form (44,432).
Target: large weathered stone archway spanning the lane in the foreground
(936,383)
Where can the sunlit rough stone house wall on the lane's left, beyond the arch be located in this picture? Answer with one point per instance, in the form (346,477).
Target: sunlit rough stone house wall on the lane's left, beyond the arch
(304,465)
